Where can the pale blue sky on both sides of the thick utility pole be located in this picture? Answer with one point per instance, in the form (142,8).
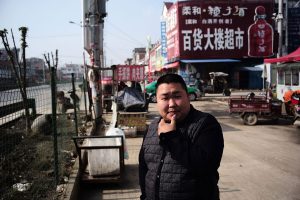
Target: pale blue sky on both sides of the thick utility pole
(126,26)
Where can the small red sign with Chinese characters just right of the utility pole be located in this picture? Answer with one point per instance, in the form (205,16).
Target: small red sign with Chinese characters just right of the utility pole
(130,72)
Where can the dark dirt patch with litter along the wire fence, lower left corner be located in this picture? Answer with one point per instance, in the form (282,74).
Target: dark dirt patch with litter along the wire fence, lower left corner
(29,161)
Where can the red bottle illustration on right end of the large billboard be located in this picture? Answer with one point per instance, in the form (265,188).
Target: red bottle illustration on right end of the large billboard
(260,35)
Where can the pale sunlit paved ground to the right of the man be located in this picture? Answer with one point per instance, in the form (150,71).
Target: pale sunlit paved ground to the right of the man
(259,162)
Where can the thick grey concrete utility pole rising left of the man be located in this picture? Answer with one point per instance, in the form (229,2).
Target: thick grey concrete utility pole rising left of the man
(94,12)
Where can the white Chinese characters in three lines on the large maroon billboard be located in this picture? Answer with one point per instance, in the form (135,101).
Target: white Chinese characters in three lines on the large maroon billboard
(218,38)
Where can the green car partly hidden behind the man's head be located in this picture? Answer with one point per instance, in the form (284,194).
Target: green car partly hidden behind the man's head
(194,93)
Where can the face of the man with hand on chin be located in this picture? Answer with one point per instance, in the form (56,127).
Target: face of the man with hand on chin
(172,99)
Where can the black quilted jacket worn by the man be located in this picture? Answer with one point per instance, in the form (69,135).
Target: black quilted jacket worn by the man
(170,172)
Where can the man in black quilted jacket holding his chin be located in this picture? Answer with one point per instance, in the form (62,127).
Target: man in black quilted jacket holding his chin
(182,150)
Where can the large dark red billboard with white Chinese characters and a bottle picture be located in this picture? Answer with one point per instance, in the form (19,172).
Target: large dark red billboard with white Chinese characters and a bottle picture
(220,29)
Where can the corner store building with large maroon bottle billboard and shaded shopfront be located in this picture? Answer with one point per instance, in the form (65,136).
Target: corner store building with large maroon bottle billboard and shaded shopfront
(215,36)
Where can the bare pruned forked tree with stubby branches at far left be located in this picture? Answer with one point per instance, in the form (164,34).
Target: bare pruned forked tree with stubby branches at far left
(19,68)
